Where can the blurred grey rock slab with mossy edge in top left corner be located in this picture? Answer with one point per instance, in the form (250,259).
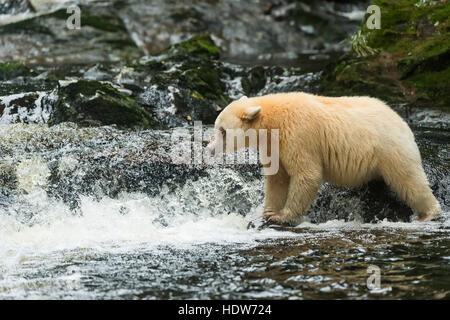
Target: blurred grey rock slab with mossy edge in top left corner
(46,39)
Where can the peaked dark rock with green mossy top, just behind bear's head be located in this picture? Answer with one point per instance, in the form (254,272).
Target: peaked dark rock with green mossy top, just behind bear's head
(193,70)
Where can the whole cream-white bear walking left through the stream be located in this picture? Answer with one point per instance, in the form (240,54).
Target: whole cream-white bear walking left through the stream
(347,141)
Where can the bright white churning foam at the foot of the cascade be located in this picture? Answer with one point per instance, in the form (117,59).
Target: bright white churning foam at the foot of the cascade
(132,221)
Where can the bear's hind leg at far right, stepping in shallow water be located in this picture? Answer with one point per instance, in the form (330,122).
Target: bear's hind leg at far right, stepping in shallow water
(411,185)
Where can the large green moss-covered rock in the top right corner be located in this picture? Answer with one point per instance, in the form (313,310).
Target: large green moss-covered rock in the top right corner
(407,60)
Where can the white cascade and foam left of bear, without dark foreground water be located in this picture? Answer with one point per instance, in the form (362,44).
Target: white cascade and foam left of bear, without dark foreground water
(33,223)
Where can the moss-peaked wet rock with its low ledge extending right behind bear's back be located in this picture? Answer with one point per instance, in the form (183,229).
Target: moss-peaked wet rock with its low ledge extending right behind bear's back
(188,82)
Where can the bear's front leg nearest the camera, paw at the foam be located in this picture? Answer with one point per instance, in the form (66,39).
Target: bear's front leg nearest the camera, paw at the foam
(301,193)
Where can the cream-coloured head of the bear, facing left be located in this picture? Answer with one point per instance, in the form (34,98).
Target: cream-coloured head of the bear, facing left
(236,126)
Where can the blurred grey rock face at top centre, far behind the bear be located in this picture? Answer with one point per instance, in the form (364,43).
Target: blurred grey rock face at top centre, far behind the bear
(262,30)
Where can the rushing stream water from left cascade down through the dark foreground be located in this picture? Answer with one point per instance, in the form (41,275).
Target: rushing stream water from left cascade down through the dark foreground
(84,216)
